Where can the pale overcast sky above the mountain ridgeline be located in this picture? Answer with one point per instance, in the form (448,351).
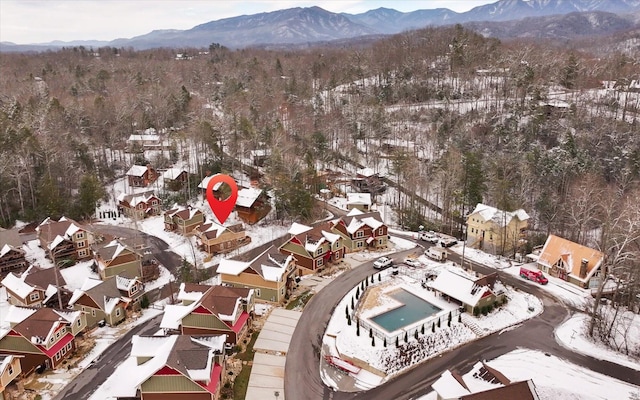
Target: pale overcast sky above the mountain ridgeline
(41,21)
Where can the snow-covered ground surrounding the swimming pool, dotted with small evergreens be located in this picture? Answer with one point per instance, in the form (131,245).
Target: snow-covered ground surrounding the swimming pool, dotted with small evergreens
(342,340)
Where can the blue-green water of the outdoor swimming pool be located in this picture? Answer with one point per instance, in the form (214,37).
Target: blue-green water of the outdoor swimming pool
(413,309)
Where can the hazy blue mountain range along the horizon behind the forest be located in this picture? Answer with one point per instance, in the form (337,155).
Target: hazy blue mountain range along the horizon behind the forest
(304,26)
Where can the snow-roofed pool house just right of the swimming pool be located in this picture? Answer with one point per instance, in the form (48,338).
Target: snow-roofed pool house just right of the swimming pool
(471,293)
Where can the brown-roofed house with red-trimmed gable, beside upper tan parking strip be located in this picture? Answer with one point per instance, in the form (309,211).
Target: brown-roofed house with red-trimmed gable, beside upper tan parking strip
(210,310)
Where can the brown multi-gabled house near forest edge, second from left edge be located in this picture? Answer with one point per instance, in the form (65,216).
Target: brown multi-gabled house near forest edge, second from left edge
(65,240)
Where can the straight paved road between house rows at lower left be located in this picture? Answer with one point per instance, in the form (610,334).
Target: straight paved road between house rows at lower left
(95,375)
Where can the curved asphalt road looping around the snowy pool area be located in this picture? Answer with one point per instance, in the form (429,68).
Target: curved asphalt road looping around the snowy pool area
(302,375)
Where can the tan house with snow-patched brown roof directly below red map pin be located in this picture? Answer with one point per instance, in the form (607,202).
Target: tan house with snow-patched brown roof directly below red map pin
(214,238)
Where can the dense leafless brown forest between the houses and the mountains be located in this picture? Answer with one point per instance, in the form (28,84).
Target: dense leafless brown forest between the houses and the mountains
(454,116)
